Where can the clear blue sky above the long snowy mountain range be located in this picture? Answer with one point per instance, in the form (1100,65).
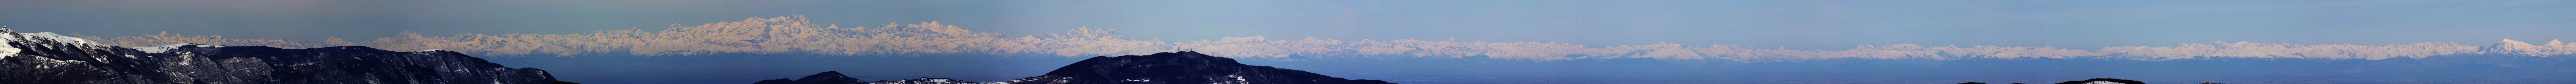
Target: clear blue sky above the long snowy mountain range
(1792,24)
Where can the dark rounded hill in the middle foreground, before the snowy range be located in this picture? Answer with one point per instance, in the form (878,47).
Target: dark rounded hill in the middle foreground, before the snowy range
(1181,67)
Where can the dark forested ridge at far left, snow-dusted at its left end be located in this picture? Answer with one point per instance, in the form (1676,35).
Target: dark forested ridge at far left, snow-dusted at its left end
(63,60)
